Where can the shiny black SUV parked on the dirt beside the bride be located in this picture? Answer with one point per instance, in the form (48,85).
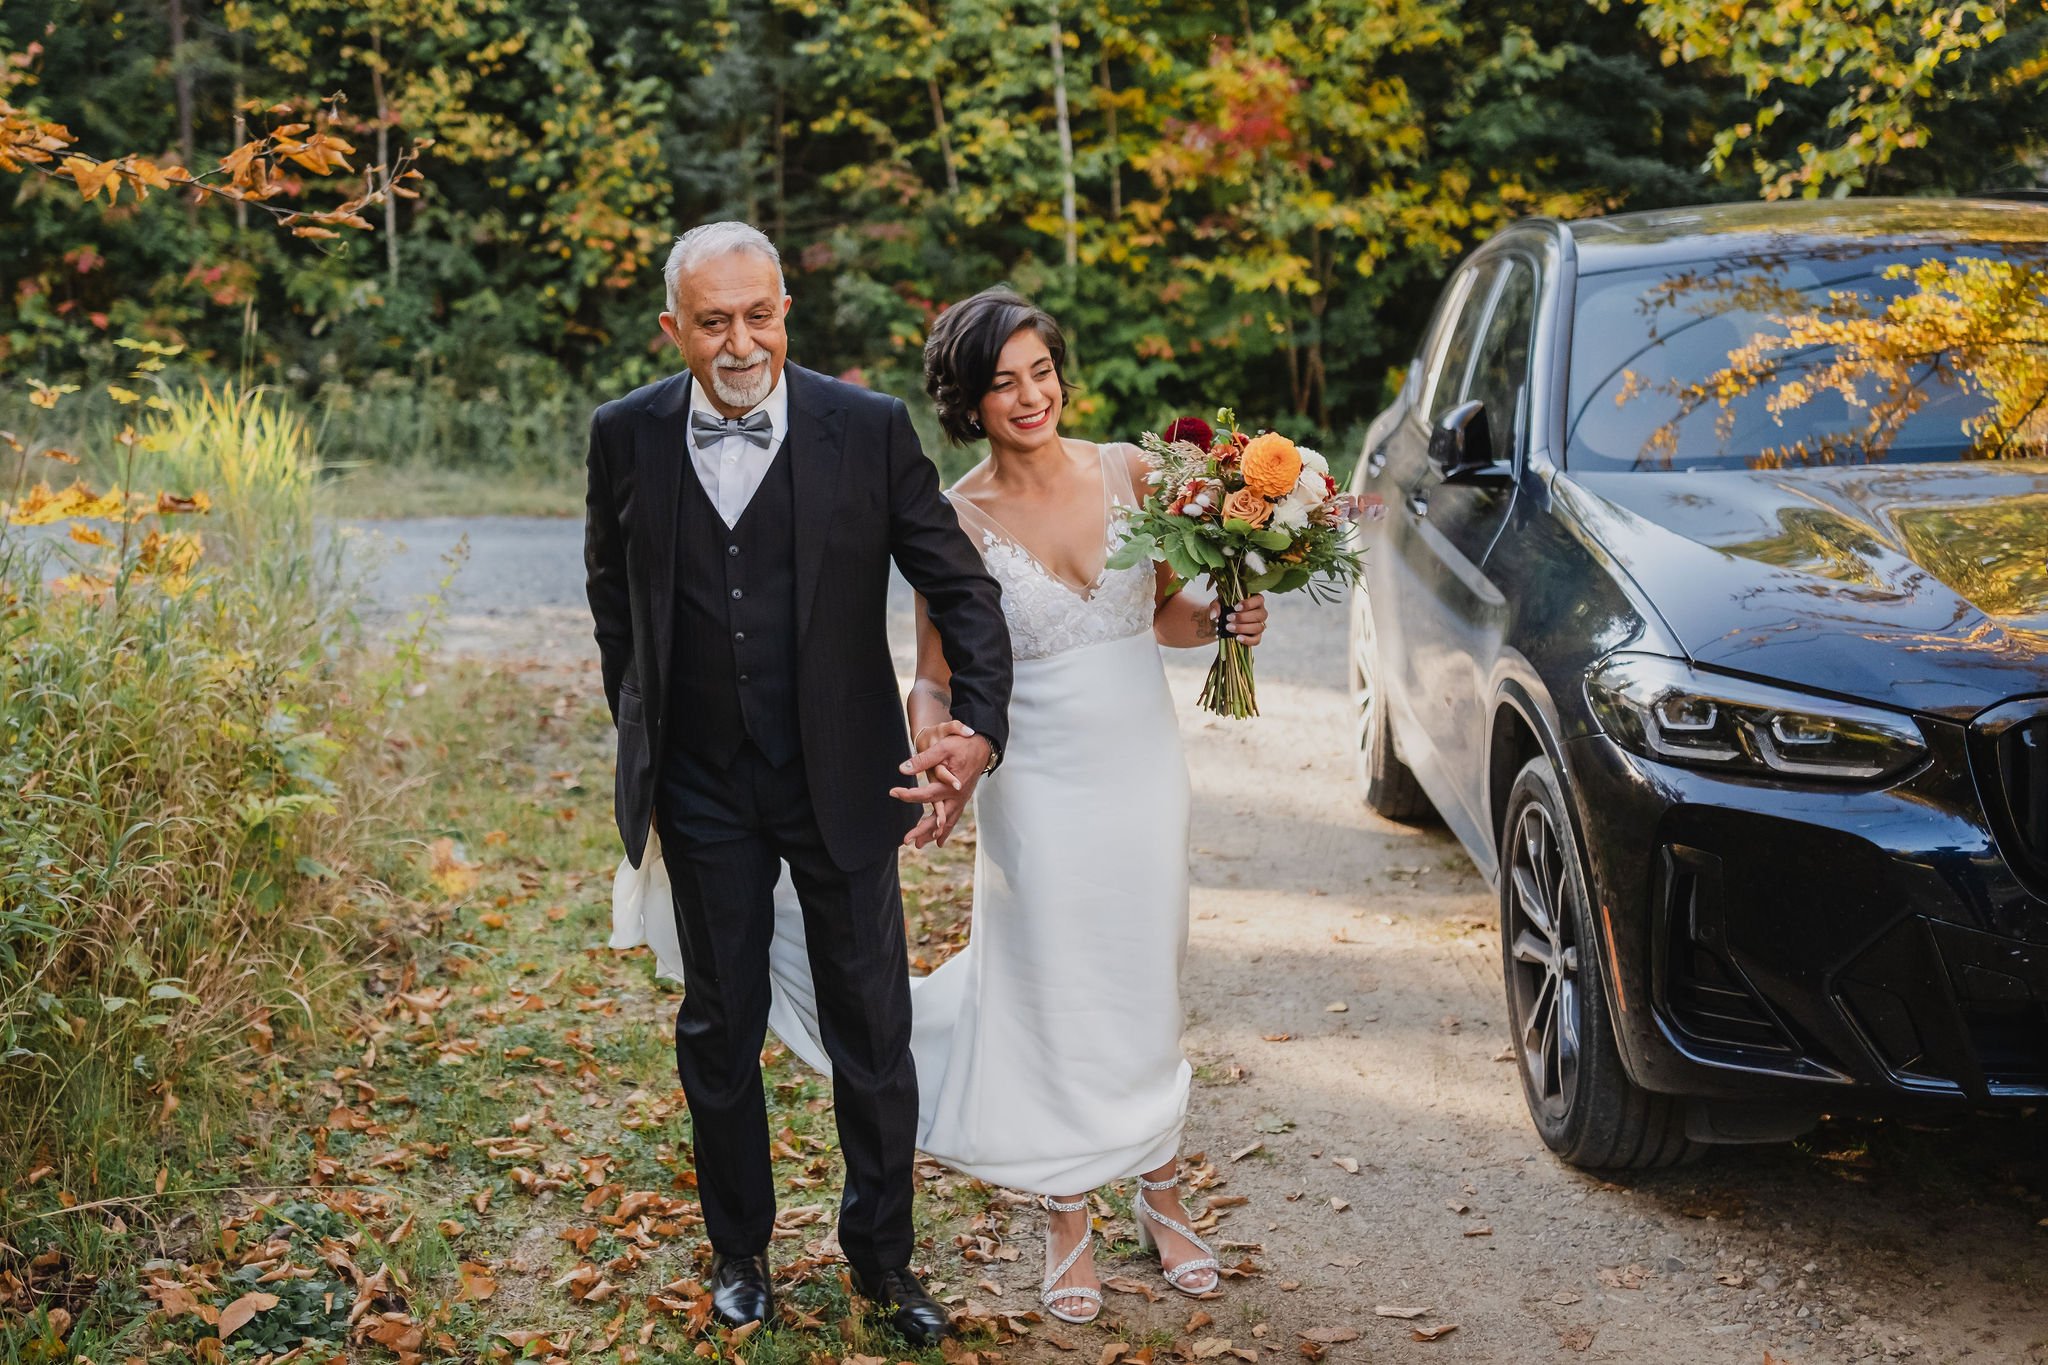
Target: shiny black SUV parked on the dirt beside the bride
(1709,609)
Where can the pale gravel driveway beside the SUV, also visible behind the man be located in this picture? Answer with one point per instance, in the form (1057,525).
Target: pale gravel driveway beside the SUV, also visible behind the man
(1347,1010)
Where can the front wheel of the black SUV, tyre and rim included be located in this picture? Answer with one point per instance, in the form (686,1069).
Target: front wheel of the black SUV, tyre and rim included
(1580,1096)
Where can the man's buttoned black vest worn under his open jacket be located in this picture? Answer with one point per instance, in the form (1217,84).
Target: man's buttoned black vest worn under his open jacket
(736,623)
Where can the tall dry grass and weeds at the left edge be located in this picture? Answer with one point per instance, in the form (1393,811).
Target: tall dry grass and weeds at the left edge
(181,811)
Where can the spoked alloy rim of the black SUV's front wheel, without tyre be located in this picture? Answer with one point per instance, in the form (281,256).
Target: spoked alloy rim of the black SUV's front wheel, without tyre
(1543,963)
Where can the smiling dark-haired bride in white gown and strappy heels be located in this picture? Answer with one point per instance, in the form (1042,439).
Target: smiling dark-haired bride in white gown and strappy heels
(1050,1049)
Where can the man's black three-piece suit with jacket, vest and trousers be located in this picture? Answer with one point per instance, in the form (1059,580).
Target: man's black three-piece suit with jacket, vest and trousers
(759,721)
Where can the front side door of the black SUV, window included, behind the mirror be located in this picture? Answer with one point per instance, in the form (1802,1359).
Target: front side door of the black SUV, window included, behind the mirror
(1455,621)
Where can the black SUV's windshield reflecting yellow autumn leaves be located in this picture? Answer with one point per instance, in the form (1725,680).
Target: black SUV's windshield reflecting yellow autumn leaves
(1842,355)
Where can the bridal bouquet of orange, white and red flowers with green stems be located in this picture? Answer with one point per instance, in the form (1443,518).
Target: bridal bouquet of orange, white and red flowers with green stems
(1256,515)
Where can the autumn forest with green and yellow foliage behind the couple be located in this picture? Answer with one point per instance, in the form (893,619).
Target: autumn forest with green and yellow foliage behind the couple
(1224,202)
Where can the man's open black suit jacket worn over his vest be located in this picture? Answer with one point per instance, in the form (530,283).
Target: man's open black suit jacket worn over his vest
(865,496)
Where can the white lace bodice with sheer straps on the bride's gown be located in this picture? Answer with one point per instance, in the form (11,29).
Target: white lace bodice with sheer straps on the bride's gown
(1048,615)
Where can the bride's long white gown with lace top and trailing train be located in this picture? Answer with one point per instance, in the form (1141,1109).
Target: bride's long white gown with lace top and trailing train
(1050,1049)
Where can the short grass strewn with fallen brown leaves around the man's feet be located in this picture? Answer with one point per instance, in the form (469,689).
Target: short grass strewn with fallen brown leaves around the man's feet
(490,1049)
